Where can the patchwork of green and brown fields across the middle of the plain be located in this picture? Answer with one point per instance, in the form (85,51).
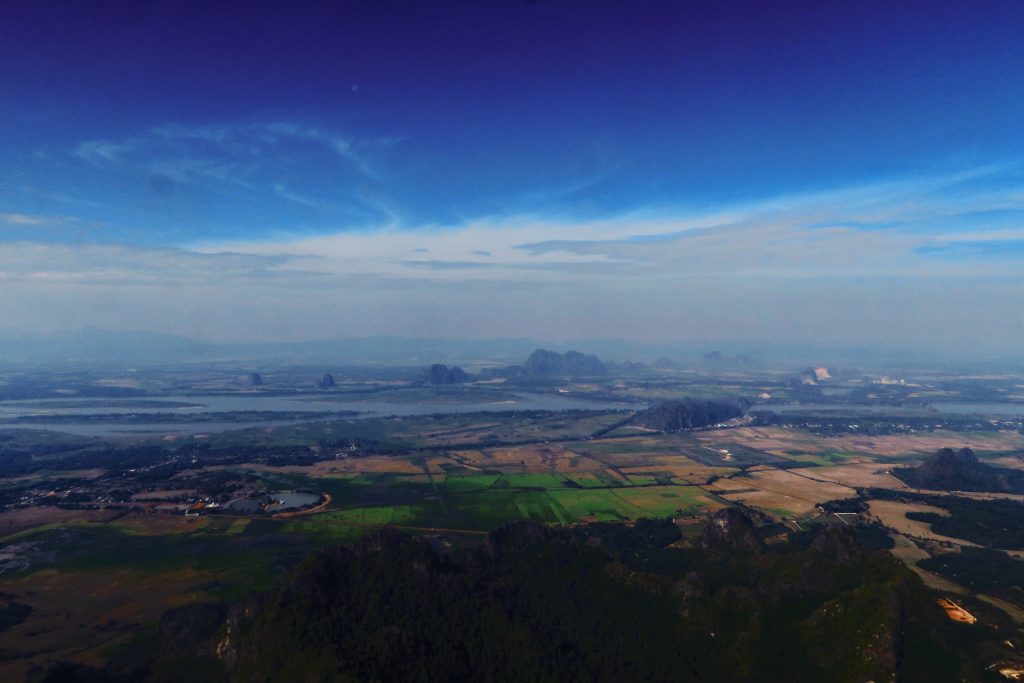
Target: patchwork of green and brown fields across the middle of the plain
(785,474)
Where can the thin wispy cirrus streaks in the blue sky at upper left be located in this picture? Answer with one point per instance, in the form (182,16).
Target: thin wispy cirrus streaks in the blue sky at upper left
(242,178)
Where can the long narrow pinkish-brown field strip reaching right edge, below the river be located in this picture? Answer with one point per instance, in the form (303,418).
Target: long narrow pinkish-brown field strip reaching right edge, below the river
(781,441)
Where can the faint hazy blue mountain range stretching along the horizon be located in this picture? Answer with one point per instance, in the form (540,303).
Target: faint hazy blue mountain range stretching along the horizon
(147,349)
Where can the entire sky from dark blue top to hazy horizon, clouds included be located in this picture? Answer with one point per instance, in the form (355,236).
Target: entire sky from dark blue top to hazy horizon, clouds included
(643,169)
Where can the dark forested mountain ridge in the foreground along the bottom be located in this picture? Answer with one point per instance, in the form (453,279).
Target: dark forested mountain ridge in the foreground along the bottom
(600,603)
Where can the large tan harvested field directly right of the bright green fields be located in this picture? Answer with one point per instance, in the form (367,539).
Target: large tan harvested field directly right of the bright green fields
(782,493)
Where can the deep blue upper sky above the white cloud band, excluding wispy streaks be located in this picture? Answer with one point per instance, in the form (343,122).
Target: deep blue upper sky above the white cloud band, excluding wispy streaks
(572,109)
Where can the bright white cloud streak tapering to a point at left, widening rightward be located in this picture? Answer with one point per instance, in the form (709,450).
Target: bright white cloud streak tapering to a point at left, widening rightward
(883,230)
